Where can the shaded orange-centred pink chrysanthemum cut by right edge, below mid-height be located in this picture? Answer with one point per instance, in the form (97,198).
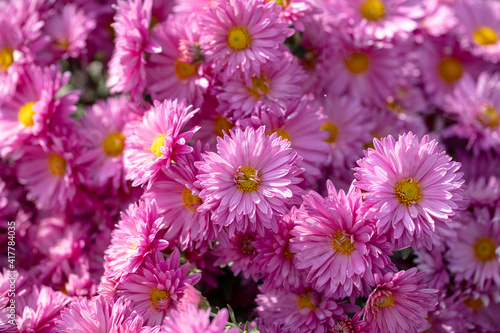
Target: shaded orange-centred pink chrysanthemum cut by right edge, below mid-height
(474,255)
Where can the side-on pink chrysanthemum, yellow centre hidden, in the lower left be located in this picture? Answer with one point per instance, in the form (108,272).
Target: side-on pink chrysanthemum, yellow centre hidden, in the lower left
(137,235)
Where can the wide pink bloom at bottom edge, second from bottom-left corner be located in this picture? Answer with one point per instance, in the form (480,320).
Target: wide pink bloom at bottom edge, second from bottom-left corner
(99,315)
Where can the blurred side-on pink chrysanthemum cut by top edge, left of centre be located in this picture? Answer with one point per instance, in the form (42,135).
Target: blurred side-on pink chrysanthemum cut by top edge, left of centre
(127,71)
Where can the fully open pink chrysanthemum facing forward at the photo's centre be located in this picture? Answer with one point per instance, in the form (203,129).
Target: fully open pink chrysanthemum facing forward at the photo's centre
(249,181)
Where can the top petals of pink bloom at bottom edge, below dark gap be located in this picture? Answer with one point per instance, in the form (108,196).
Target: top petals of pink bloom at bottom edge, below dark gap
(194,320)
